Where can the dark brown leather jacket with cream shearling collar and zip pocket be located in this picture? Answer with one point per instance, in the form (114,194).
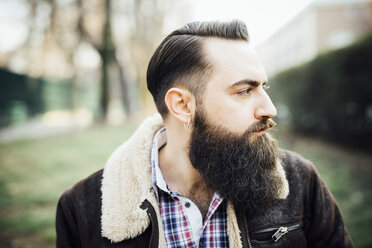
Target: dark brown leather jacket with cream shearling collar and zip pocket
(115,207)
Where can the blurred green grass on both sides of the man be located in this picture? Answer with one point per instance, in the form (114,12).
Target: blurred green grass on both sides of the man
(33,174)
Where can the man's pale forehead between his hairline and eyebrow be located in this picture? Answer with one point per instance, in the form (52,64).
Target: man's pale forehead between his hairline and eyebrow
(232,61)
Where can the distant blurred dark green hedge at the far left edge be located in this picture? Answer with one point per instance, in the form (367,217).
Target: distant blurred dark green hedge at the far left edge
(23,97)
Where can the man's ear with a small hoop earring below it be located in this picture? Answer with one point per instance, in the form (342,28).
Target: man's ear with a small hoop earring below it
(180,103)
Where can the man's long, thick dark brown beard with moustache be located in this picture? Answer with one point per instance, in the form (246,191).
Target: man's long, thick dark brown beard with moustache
(240,167)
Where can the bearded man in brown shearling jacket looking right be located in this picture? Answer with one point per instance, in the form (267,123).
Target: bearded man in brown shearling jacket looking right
(205,172)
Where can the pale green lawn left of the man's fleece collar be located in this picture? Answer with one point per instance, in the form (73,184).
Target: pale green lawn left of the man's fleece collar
(33,174)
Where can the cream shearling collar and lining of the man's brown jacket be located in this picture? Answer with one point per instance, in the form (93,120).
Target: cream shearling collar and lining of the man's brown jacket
(126,183)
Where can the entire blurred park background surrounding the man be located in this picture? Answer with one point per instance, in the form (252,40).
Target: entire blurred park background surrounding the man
(73,88)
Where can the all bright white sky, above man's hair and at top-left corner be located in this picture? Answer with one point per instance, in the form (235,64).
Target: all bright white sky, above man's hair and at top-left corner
(262,17)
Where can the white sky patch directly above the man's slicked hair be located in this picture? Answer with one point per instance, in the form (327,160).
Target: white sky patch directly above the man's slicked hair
(263,17)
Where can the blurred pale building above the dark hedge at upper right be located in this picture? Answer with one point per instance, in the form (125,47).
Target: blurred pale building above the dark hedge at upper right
(323,25)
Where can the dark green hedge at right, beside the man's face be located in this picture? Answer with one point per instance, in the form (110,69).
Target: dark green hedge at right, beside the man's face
(331,96)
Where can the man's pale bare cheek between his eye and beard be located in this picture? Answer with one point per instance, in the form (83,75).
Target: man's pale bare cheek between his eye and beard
(232,114)
